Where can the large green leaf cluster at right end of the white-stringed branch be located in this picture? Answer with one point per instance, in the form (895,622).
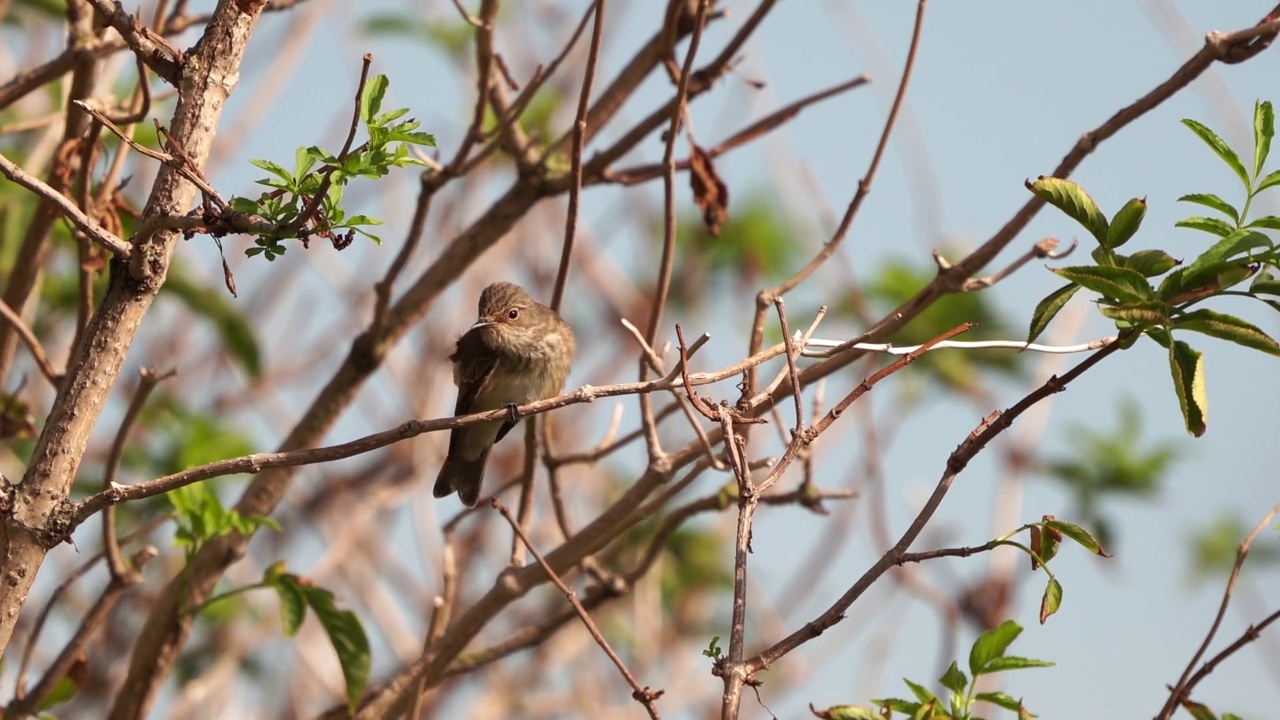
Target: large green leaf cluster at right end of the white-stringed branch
(1130,297)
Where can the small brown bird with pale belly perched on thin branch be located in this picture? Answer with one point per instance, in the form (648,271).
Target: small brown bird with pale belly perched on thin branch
(518,352)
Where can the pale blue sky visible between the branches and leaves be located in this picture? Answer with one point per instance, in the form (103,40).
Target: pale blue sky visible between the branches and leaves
(1002,93)
